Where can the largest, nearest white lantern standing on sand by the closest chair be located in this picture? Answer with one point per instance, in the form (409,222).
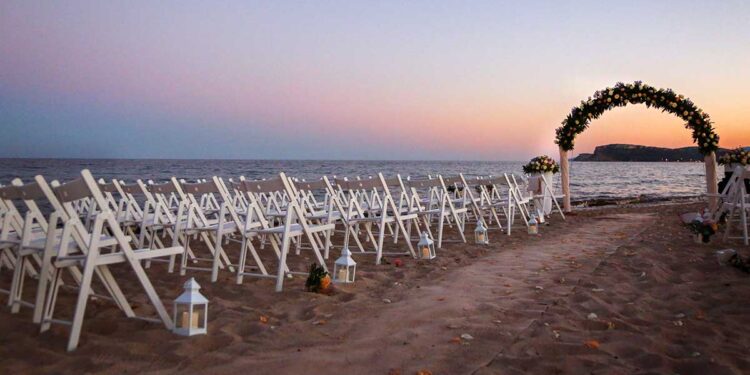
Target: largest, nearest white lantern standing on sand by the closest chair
(190,311)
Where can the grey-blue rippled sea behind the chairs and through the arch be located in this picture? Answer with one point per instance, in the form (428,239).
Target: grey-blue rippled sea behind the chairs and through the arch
(590,181)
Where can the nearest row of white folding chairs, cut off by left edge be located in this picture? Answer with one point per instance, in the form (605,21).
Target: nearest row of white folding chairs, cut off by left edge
(46,248)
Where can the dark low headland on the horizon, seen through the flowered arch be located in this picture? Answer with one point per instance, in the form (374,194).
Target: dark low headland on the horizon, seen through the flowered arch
(624,152)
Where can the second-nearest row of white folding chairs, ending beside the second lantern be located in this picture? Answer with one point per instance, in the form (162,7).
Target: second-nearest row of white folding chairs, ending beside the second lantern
(207,210)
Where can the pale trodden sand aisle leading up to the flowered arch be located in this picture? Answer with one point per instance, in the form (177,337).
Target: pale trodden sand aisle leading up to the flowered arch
(498,300)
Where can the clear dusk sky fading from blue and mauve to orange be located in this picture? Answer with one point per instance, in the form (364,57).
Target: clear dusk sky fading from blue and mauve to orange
(421,80)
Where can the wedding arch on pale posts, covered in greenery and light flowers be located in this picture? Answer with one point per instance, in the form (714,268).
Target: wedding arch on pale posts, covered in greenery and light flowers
(637,92)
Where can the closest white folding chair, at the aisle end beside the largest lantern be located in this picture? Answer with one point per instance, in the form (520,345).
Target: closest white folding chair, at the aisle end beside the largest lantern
(94,252)
